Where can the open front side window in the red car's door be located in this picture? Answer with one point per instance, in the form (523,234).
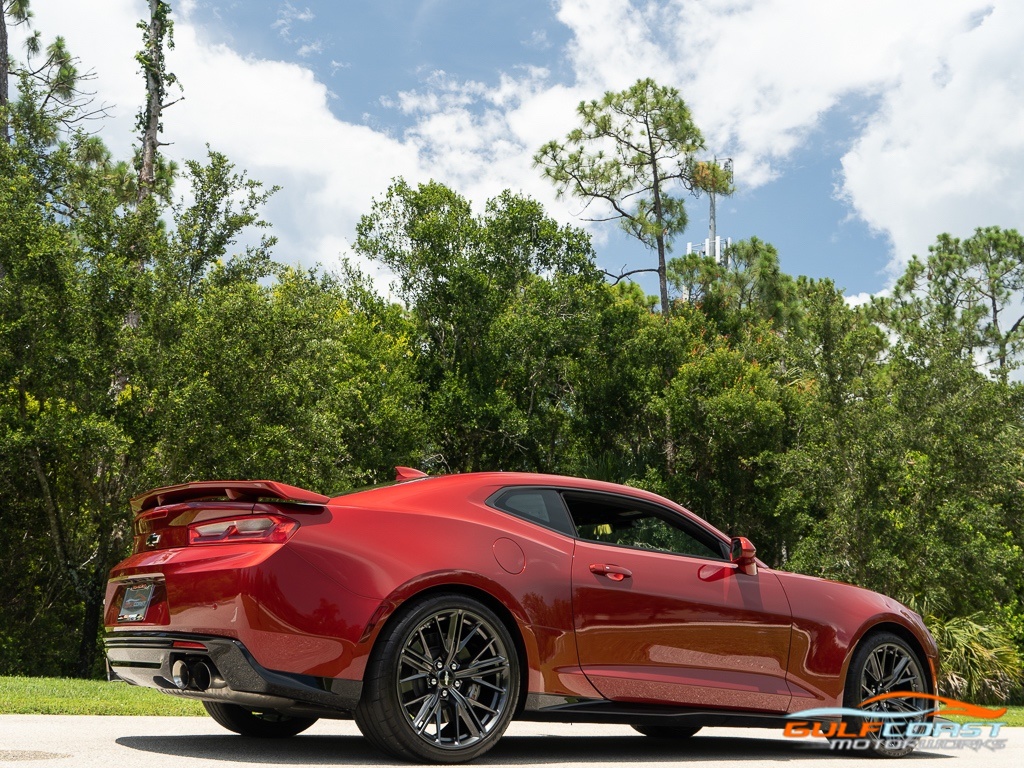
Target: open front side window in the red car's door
(627,524)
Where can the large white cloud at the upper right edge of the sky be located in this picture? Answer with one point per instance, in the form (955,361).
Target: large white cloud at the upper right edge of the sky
(946,151)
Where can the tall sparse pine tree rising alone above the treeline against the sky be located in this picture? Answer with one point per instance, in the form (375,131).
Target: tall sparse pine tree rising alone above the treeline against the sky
(632,152)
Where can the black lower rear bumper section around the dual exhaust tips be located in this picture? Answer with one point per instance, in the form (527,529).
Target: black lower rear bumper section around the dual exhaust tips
(148,659)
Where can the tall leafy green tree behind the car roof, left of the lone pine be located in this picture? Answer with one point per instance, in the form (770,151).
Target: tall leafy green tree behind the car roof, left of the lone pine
(500,303)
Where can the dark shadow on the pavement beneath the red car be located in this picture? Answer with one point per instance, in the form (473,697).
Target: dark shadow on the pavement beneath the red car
(513,750)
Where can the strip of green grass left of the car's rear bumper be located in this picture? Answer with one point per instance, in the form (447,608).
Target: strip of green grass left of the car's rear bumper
(50,696)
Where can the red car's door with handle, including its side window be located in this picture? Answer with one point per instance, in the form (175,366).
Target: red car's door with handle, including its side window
(663,617)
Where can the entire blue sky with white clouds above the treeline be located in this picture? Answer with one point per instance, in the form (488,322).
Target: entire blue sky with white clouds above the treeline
(861,129)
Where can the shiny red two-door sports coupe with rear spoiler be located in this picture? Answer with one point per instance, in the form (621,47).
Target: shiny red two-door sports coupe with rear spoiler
(437,610)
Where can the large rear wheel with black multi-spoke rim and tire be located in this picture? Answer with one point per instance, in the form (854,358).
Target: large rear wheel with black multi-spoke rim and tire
(413,709)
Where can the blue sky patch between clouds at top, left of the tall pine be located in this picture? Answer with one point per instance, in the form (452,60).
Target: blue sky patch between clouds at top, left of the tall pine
(369,51)
